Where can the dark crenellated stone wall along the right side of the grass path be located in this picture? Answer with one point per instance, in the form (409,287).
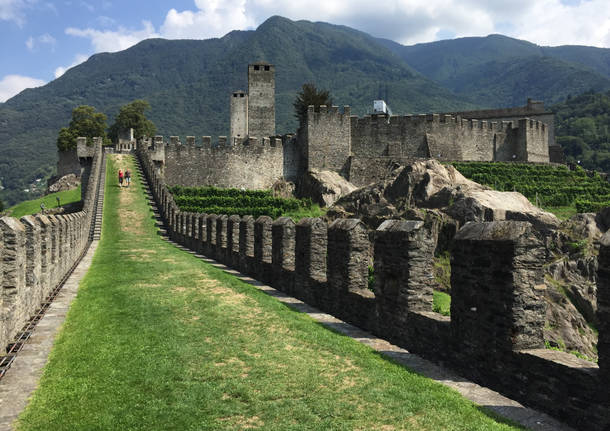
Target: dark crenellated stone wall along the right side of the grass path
(494,333)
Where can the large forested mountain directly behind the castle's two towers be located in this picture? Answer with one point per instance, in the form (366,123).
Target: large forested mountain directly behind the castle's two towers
(188,83)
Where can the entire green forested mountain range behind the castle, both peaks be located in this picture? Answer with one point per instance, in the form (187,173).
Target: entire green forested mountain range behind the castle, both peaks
(188,82)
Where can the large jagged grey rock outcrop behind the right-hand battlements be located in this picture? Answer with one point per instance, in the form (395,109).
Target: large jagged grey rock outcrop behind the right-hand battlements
(445,200)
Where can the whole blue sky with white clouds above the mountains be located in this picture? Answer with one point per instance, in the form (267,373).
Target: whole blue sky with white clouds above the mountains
(41,39)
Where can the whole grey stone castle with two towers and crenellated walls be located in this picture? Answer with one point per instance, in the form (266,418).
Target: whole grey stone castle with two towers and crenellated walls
(361,149)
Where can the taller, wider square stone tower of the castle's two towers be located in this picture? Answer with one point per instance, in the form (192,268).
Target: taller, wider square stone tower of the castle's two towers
(261,100)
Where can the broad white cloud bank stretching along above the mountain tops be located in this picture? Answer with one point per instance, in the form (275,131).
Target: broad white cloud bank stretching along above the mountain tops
(546,22)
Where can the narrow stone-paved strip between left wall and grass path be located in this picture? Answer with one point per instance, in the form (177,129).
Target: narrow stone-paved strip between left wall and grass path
(21,379)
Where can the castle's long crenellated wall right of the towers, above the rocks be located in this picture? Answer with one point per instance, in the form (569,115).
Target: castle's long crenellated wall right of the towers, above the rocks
(362,149)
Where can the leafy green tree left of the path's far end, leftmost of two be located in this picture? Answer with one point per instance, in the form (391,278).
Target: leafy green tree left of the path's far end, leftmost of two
(87,122)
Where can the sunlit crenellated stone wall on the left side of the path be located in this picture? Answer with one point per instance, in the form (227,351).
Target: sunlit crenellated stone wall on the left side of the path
(38,251)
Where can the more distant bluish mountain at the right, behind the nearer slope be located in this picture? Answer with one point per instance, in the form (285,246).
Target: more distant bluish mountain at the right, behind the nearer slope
(501,71)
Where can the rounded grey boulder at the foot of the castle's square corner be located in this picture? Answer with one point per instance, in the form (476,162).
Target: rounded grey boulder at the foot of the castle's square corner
(324,187)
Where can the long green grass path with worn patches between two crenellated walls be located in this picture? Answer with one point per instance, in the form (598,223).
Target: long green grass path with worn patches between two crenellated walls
(159,340)
